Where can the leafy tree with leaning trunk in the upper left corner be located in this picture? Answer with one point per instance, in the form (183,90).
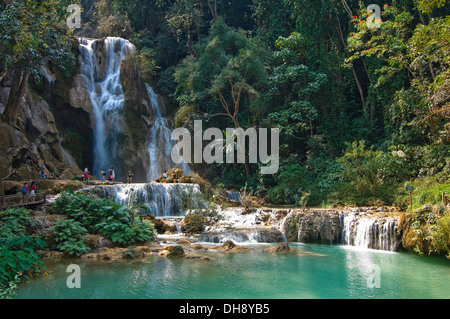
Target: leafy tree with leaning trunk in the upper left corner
(33,32)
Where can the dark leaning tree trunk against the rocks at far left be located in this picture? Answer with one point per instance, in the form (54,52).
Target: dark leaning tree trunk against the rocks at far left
(17,92)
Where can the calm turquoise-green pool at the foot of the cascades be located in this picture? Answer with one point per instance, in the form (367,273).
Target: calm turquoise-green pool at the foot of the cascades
(341,273)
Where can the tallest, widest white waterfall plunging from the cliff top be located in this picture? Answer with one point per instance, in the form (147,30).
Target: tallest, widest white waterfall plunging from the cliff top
(102,81)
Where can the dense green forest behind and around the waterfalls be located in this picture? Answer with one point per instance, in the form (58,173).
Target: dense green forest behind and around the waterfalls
(363,111)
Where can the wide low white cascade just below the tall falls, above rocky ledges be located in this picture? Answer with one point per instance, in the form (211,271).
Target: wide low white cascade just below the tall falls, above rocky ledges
(159,198)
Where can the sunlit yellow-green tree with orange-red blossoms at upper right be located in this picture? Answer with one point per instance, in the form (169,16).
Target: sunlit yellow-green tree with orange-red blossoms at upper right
(412,56)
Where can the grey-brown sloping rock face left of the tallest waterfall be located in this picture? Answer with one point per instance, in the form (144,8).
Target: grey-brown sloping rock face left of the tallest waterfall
(33,142)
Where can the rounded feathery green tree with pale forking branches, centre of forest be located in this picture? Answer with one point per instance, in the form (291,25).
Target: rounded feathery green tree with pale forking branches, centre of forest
(224,76)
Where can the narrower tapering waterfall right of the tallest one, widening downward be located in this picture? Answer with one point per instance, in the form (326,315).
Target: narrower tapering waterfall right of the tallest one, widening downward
(160,143)
